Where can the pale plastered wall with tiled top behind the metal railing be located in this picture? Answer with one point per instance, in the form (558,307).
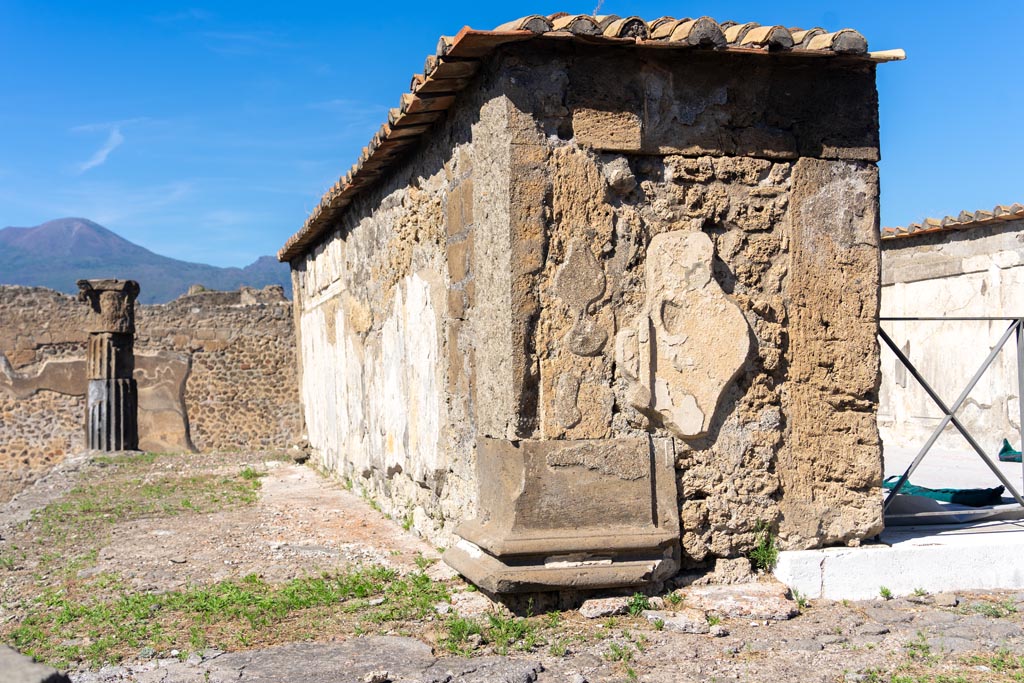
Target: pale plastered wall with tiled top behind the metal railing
(966,266)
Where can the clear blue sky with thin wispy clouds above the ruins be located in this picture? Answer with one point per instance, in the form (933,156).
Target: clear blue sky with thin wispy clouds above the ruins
(208,132)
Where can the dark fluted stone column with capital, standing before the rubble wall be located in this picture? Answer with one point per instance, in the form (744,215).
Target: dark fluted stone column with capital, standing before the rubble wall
(113,398)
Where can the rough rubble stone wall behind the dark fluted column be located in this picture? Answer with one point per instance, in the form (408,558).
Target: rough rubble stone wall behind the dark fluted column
(216,371)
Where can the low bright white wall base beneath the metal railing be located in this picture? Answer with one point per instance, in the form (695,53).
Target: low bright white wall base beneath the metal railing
(983,557)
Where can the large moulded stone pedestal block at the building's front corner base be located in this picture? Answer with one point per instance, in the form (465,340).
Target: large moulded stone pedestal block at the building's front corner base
(571,515)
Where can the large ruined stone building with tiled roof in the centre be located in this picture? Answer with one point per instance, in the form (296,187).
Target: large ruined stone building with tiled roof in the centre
(600,300)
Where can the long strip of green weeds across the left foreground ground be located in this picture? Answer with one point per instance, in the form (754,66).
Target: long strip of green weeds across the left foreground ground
(229,615)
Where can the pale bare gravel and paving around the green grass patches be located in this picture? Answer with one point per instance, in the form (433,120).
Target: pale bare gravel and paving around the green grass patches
(304,524)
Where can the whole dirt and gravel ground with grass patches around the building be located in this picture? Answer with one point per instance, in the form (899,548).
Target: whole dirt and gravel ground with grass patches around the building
(266,530)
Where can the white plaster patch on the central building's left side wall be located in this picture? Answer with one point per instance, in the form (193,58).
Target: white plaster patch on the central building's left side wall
(374,402)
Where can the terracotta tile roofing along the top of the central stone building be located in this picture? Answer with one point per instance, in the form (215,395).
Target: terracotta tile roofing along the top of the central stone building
(457,59)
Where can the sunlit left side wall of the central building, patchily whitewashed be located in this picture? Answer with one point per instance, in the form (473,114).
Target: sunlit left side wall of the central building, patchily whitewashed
(381,308)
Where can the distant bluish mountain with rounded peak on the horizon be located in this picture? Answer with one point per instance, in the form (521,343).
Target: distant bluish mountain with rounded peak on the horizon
(61,252)
